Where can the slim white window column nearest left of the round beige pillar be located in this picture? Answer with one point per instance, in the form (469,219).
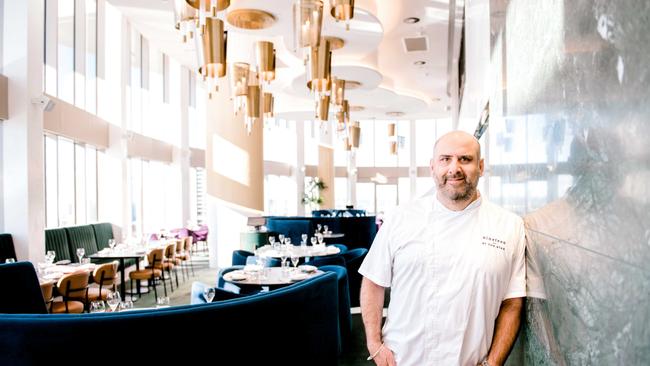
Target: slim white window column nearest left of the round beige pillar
(183,156)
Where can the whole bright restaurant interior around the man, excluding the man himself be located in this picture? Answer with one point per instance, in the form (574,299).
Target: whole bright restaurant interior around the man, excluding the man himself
(217,170)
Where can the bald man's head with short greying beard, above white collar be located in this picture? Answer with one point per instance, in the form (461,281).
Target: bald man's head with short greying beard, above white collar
(456,167)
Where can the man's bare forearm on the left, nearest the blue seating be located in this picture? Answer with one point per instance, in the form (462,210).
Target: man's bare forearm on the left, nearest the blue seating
(372,305)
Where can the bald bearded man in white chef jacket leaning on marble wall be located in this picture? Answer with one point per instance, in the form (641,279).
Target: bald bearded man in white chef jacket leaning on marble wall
(455,265)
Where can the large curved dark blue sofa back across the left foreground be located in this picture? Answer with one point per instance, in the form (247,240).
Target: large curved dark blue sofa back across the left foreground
(249,330)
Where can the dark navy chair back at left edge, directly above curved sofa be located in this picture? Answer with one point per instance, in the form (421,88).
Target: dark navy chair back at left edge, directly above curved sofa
(21,292)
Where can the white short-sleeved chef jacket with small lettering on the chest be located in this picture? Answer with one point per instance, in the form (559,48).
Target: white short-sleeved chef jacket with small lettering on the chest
(448,272)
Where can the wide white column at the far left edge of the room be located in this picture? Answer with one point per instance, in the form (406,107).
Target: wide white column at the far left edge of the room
(22,134)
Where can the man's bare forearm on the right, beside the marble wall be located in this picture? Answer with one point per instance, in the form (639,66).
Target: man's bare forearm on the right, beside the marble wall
(505,331)
